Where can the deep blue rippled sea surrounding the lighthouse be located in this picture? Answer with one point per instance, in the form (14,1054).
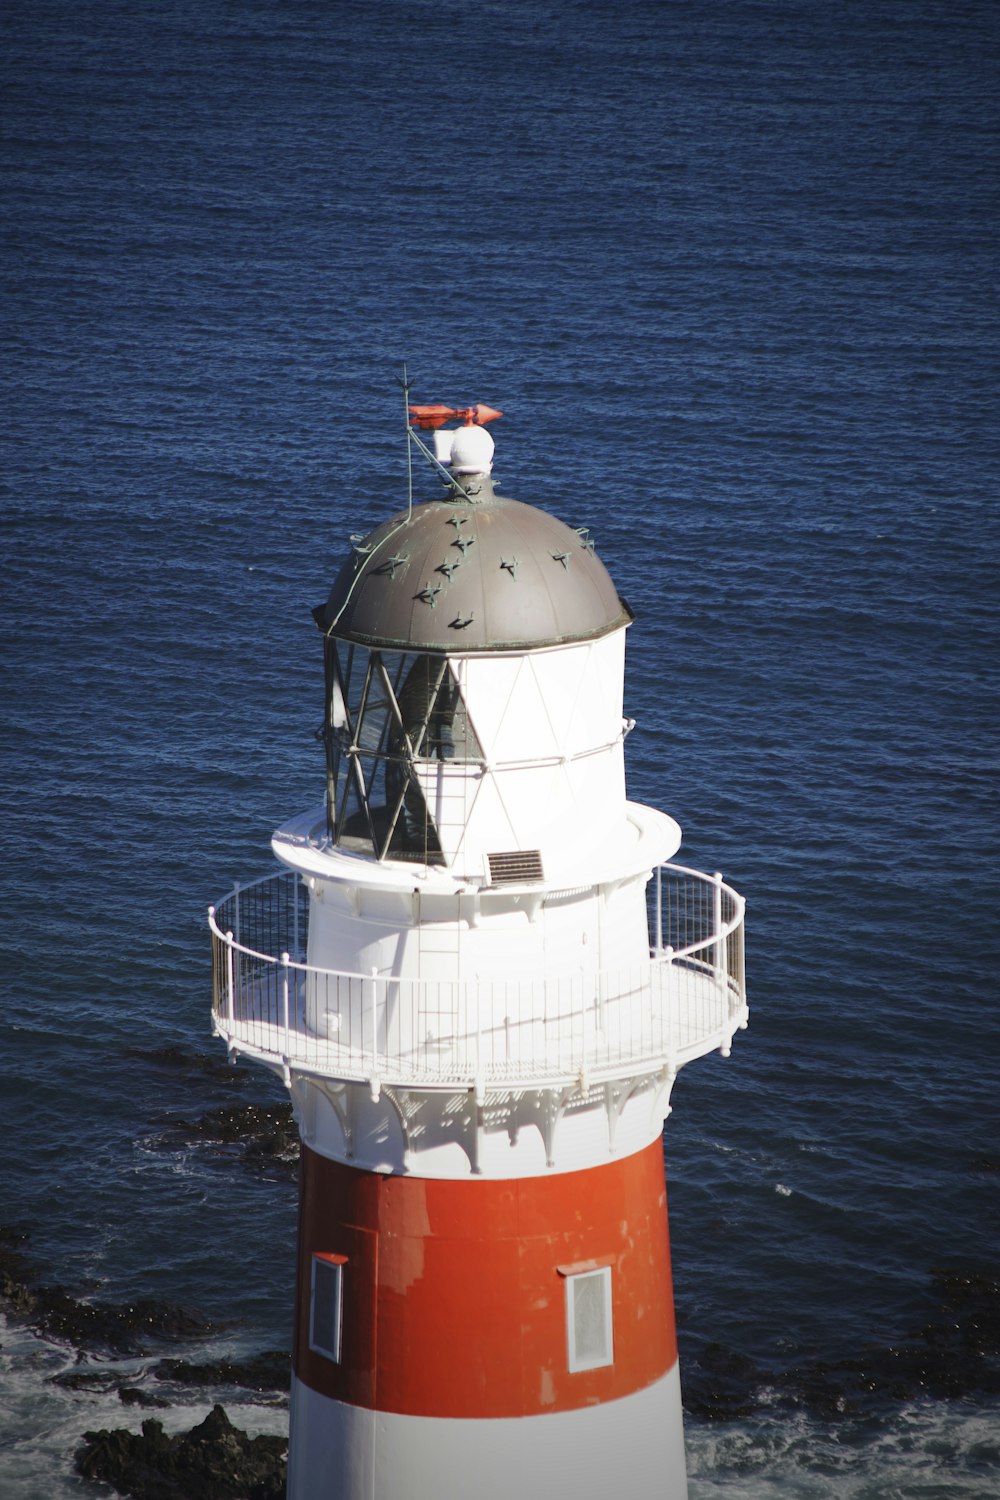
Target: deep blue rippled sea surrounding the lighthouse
(731,272)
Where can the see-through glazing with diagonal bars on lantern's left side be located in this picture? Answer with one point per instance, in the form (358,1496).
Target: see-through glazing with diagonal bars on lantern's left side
(394,719)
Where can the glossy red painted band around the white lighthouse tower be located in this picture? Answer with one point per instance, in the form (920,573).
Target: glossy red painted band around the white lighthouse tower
(455,1292)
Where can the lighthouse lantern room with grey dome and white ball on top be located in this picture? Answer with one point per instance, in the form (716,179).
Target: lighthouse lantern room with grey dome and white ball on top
(475,668)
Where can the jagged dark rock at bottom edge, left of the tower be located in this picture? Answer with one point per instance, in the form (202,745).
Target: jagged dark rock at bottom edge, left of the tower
(214,1462)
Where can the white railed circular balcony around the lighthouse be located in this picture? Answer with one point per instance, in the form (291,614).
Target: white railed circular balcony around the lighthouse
(686,998)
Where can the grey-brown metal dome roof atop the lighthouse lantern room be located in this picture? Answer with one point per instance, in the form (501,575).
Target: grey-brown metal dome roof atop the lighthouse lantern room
(473,574)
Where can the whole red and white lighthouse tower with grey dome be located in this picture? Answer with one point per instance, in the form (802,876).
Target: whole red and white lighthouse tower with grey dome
(478,968)
